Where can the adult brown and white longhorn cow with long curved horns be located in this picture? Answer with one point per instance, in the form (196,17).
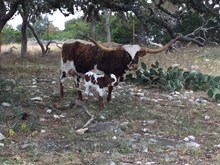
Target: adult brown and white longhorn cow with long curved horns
(79,58)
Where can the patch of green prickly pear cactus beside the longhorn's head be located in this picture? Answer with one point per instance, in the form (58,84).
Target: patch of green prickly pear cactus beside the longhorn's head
(176,79)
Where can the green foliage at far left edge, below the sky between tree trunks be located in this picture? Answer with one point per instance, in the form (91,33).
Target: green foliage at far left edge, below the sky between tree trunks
(10,35)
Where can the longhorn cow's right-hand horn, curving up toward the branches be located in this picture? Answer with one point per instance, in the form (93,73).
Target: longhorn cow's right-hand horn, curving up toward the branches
(154,51)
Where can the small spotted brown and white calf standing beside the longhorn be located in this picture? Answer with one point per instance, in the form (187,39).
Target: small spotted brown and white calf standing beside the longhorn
(98,82)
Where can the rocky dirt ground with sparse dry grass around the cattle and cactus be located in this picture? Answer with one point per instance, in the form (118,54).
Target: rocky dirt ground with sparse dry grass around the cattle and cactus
(141,125)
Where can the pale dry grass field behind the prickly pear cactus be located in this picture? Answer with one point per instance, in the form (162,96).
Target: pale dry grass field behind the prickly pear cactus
(205,60)
